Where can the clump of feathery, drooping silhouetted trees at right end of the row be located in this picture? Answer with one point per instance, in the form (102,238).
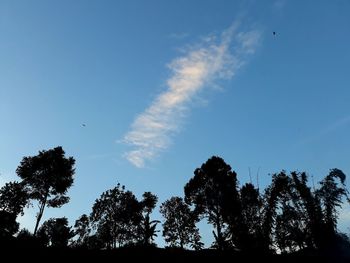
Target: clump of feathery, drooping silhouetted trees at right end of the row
(295,217)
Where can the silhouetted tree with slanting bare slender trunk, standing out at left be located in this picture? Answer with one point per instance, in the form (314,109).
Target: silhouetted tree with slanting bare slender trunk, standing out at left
(47,176)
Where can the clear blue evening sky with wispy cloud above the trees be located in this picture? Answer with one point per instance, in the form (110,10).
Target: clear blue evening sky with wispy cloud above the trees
(143,92)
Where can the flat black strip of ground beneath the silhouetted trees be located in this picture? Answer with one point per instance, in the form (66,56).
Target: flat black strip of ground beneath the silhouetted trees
(151,254)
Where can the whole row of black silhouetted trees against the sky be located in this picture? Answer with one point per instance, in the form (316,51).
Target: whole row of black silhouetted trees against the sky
(288,216)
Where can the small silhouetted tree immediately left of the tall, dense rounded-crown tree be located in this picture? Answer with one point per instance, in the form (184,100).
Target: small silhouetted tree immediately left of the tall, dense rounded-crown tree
(179,227)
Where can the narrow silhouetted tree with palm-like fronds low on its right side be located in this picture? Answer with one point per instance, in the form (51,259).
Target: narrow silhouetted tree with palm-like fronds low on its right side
(148,226)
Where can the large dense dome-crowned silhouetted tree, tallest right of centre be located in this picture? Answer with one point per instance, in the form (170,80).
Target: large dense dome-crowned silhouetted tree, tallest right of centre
(213,192)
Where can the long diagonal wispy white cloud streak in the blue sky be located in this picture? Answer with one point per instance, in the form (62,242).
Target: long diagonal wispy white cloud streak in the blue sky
(216,57)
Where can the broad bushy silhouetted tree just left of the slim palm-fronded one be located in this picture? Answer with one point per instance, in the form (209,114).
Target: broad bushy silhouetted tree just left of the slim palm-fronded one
(117,215)
